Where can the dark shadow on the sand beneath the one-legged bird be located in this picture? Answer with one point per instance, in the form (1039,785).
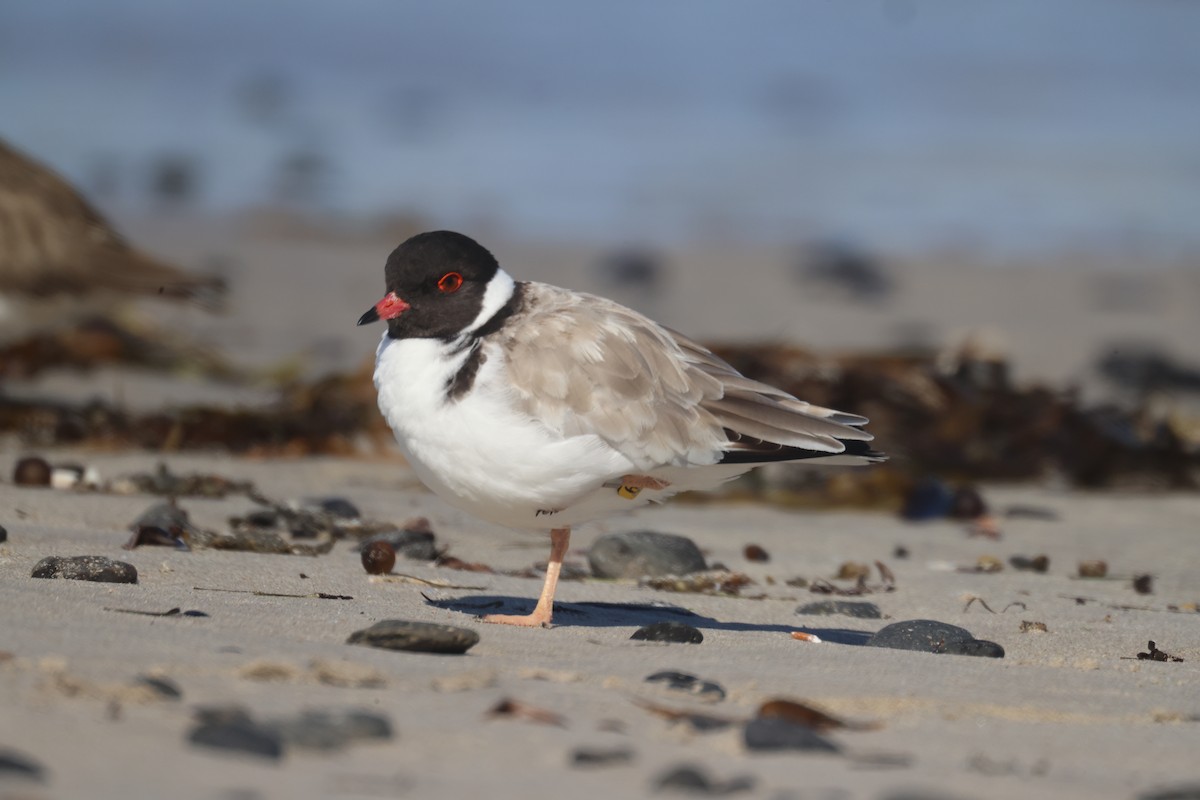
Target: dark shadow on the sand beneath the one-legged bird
(601,615)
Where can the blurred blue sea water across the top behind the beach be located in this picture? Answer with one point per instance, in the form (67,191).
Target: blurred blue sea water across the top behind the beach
(1011,130)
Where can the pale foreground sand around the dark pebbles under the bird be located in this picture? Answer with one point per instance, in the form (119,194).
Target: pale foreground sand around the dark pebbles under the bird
(1066,714)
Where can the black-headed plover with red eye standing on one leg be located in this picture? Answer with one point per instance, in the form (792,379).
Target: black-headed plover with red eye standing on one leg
(541,408)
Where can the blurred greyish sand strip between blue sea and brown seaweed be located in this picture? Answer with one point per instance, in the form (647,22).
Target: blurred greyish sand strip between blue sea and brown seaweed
(299,284)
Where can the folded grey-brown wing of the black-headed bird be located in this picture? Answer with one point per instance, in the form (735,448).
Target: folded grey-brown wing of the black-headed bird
(585,365)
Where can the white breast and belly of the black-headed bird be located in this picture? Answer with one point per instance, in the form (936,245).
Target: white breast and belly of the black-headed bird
(478,453)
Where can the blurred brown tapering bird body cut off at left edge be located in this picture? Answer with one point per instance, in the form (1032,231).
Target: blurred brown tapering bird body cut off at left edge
(58,252)
